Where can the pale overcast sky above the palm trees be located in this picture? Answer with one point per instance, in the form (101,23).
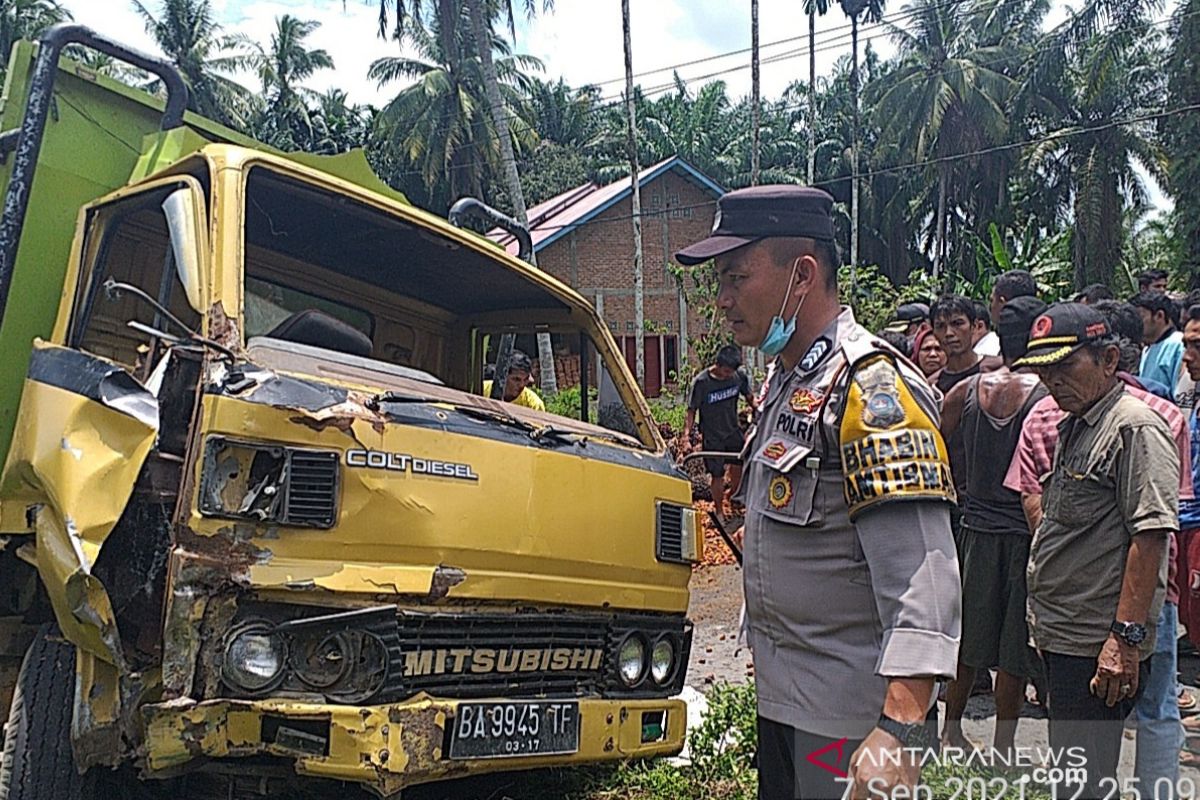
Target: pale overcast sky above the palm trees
(580,40)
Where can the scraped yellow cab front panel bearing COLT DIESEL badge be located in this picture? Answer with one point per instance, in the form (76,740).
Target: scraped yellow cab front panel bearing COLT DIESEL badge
(566,550)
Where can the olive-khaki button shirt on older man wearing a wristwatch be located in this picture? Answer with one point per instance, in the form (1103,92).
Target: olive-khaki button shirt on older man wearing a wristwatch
(1117,476)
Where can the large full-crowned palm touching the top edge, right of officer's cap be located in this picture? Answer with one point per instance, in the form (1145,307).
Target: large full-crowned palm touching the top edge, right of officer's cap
(946,97)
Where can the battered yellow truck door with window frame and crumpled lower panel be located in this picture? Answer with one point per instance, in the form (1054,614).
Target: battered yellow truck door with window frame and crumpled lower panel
(94,404)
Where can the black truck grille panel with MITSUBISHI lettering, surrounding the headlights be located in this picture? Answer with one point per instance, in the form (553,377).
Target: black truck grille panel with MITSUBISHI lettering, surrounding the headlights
(394,655)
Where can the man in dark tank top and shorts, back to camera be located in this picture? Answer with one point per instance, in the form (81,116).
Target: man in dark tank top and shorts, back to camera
(987,411)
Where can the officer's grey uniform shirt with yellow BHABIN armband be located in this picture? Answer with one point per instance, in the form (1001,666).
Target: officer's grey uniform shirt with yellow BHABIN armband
(837,606)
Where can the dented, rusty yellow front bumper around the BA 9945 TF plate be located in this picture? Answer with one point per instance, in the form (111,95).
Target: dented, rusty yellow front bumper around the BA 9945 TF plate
(386,748)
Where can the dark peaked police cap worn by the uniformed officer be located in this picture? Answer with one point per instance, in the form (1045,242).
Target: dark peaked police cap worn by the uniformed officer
(761,213)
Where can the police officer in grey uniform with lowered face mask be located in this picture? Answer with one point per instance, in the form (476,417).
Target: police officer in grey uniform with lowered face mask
(851,579)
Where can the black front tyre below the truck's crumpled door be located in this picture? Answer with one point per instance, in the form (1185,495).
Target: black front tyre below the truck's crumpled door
(38,762)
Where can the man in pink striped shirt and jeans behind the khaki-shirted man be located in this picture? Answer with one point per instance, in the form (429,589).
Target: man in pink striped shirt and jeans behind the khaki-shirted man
(1160,733)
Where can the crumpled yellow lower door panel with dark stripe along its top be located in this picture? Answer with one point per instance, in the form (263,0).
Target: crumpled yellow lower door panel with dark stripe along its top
(83,434)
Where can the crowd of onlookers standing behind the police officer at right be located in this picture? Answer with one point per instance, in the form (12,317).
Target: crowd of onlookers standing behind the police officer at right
(1003,425)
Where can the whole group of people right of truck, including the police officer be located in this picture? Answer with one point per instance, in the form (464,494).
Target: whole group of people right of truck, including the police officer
(1004,486)
